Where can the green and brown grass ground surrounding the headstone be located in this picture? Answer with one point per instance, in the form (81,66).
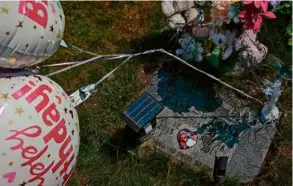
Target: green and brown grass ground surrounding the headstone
(128,27)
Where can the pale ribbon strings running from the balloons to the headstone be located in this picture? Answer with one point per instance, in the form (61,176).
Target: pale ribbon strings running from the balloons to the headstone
(129,56)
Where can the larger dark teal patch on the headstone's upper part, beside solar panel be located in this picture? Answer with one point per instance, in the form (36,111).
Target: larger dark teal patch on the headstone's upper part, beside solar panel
(180,94)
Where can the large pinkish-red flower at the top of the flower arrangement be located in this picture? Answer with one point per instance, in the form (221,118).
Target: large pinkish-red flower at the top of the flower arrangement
(254,13)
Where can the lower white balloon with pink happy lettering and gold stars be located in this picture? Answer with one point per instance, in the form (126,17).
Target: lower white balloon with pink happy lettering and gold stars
(39,132)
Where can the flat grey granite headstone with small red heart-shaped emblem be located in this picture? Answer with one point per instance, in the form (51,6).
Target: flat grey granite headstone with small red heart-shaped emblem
(200,123)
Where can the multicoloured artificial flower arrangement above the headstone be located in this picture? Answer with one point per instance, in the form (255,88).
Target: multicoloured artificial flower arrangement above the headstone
(218,39)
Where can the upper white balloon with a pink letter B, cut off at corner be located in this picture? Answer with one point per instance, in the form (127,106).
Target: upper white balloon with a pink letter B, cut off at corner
(30,31)
